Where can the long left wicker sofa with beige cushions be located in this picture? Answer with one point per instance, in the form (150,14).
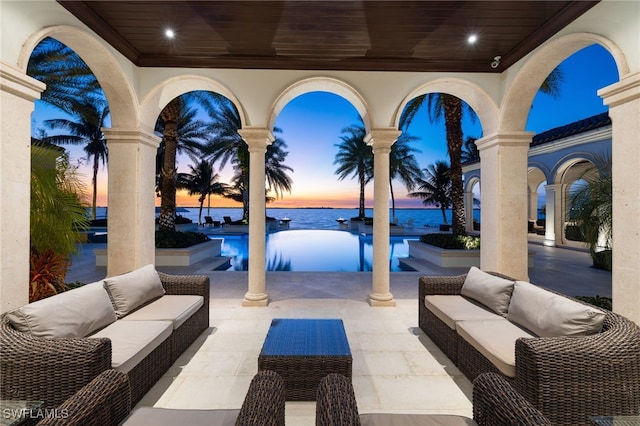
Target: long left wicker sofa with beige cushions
(137,323)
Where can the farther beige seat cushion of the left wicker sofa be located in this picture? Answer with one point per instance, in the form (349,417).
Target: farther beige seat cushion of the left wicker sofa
(174,308)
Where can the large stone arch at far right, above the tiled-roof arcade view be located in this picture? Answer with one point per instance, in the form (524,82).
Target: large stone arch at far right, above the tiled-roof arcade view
(519,96)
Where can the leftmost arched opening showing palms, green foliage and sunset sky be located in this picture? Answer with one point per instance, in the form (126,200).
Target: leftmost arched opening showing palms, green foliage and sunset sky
(68,155)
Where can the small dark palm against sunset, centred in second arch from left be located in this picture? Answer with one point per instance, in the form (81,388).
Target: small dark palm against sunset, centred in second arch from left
(202,181)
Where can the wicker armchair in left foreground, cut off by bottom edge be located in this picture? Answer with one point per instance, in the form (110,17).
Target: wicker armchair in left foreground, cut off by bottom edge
(106,401)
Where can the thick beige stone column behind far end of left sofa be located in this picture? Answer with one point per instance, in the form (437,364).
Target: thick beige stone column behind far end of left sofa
(131,198)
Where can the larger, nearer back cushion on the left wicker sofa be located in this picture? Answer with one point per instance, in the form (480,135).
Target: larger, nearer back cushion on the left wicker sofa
(74,313)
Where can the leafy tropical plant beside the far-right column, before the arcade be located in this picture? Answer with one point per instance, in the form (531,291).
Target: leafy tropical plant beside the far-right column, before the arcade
(591,206)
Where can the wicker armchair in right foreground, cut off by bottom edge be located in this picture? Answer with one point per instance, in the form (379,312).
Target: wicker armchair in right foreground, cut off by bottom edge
(495,403)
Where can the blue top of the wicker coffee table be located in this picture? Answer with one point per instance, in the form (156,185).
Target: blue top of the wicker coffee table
(306,337)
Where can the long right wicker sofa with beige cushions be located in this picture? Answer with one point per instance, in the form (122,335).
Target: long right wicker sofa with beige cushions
(590,367)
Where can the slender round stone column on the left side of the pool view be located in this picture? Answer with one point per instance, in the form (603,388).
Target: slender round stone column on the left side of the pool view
(257,139)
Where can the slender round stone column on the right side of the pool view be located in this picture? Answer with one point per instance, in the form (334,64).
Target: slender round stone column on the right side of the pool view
(381,141)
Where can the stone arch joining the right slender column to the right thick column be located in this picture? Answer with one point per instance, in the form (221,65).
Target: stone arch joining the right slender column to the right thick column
(473,95)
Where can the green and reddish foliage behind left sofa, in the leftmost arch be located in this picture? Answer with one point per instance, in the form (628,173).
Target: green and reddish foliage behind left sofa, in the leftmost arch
(57,215)
